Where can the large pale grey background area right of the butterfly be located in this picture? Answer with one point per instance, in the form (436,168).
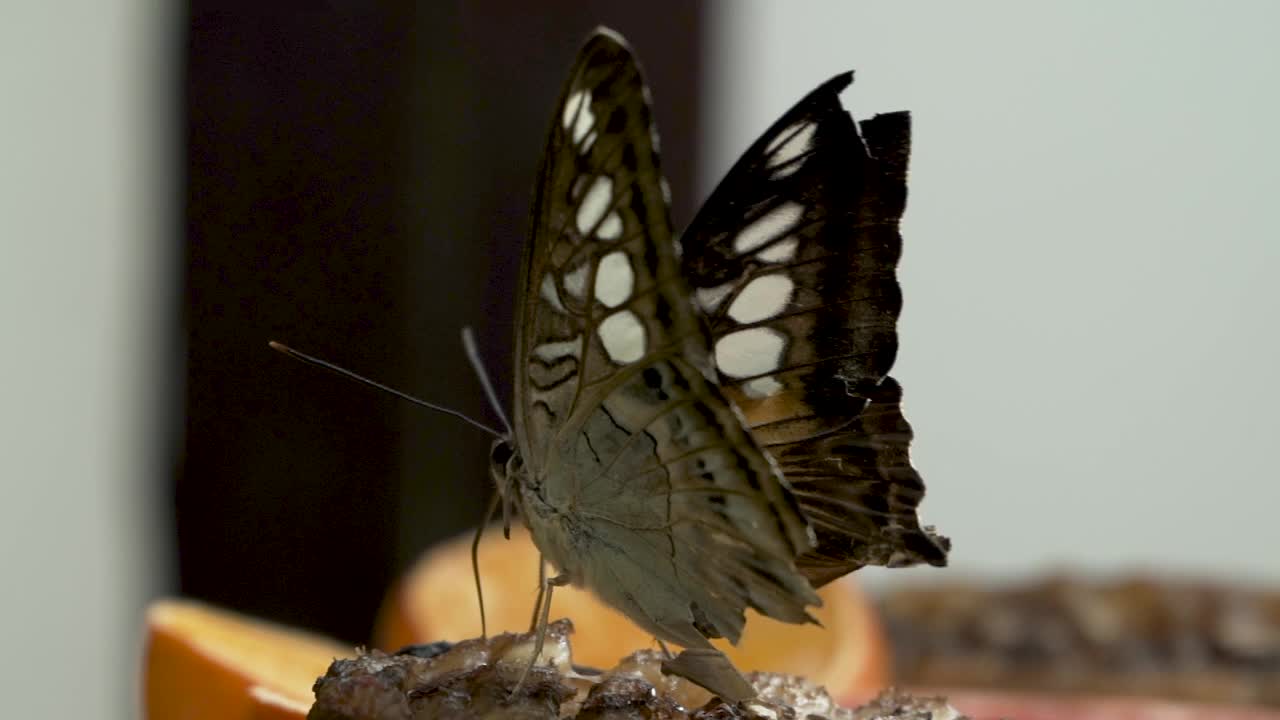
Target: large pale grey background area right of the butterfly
(1090,348)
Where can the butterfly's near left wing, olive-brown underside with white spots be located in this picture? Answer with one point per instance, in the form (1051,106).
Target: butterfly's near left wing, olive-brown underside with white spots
(641,479)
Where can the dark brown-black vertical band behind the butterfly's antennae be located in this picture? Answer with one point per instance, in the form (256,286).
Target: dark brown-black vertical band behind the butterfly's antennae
(358,185)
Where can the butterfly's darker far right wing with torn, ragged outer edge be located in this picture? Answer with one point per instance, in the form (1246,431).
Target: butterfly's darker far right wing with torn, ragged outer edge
(793,262)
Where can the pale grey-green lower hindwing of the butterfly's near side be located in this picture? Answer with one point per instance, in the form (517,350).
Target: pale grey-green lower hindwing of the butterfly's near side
(650,543)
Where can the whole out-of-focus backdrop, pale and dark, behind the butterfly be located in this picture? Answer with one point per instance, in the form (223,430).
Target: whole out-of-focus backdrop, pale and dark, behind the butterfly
(1089,345)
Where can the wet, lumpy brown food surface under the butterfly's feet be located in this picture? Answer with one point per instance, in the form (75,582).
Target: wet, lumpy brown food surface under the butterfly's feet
(476,680)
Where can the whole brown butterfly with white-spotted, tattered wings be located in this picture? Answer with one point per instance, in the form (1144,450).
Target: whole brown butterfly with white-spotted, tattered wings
(706,425)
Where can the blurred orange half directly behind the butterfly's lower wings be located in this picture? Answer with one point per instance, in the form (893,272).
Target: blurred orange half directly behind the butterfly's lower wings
(437,601)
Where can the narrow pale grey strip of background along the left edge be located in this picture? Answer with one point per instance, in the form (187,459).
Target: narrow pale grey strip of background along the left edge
(86,281)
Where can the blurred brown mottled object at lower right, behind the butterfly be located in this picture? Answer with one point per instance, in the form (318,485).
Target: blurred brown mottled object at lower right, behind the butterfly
(1139,636)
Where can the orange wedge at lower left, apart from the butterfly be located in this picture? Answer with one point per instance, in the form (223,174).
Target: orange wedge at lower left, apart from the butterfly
(203,663)
